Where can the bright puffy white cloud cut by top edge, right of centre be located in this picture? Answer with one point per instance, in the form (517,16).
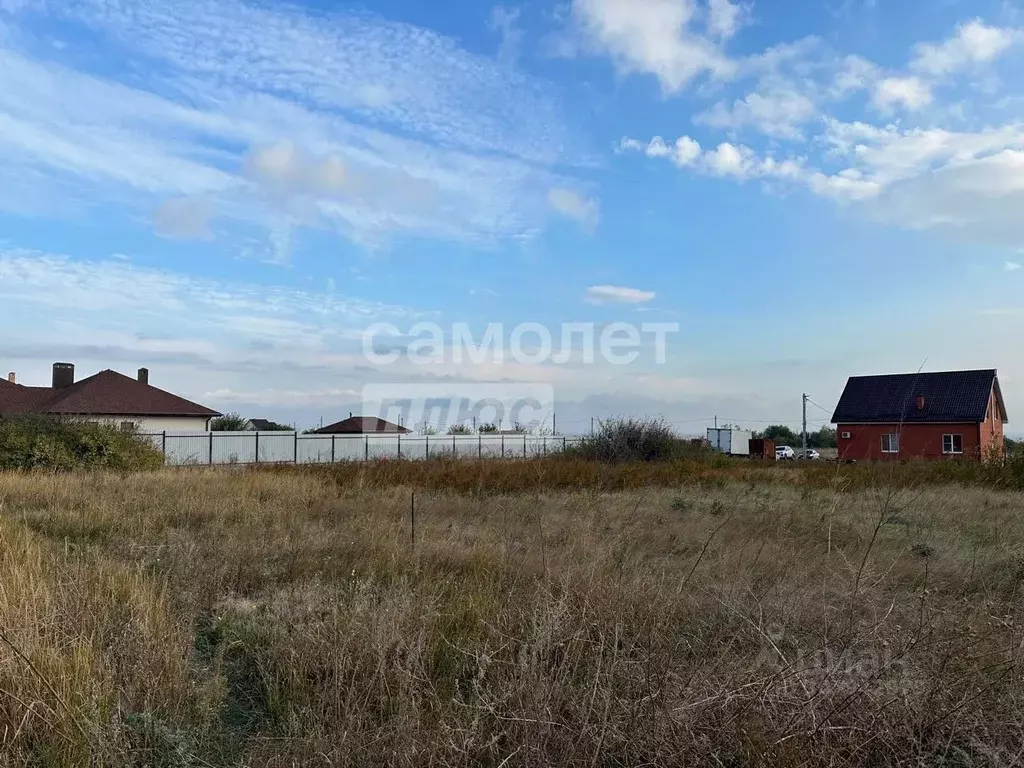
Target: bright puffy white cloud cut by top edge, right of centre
(655,37)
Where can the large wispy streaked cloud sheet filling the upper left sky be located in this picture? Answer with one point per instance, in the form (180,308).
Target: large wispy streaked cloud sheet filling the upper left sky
(377,127)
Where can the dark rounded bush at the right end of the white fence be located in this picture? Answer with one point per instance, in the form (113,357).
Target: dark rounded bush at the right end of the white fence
(637,440)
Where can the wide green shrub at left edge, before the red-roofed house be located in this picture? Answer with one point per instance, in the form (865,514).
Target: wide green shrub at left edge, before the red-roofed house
(63,445)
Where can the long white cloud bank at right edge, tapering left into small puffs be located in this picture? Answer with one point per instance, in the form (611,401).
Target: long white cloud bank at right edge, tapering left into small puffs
(971,184)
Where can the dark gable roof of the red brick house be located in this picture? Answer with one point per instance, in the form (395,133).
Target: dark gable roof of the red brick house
(950,397)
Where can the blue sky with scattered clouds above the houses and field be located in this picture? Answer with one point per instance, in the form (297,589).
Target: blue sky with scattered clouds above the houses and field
(230,193)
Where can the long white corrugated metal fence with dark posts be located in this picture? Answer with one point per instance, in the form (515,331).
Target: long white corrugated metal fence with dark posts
(183,449)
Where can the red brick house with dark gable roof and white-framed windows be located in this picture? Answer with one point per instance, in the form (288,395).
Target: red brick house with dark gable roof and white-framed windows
(950,415)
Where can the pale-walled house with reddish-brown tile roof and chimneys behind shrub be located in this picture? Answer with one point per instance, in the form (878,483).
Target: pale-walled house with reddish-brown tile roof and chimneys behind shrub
(107,397)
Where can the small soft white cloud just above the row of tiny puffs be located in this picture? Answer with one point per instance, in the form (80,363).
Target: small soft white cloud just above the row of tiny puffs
(779,111)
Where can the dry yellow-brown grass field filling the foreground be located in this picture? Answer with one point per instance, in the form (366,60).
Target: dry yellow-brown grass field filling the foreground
(220,618)
